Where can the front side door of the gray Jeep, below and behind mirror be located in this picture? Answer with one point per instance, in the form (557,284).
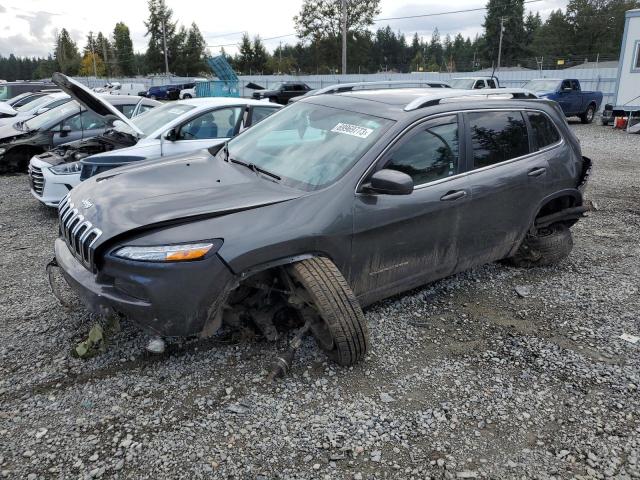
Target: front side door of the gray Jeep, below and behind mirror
(400,241)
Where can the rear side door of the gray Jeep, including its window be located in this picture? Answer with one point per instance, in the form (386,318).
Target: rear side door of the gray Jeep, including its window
(506,182)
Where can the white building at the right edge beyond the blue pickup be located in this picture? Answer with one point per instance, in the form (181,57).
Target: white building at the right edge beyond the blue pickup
(627,96)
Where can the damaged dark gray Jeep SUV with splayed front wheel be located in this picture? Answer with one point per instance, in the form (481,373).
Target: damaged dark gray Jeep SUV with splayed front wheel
(335,202)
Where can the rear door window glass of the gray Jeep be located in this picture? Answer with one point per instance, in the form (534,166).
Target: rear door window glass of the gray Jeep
(497,137)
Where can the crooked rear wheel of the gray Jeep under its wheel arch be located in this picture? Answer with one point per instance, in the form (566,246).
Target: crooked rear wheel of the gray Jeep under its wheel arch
(552,245)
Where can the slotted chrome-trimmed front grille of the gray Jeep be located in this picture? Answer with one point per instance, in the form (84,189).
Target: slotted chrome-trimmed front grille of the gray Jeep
(79,234)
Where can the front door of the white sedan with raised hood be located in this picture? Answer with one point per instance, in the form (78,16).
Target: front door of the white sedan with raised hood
(204,130)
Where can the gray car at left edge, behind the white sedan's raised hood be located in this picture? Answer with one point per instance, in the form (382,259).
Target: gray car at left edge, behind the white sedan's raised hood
(74,120)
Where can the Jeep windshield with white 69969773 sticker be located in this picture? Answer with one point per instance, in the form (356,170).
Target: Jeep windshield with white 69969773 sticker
(309,146)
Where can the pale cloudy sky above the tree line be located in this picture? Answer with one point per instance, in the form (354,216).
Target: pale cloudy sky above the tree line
(28,27)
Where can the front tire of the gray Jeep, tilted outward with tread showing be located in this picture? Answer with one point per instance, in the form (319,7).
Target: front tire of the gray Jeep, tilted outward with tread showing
(338,308)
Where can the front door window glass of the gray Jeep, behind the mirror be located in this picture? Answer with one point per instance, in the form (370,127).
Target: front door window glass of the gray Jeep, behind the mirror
(431,152)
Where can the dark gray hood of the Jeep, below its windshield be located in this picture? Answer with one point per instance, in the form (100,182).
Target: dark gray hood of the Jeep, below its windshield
(151,193)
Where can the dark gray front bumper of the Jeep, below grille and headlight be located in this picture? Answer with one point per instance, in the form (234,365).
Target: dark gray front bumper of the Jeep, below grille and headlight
(167,299)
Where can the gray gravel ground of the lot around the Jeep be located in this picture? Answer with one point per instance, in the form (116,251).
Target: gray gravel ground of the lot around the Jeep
(466,379)
